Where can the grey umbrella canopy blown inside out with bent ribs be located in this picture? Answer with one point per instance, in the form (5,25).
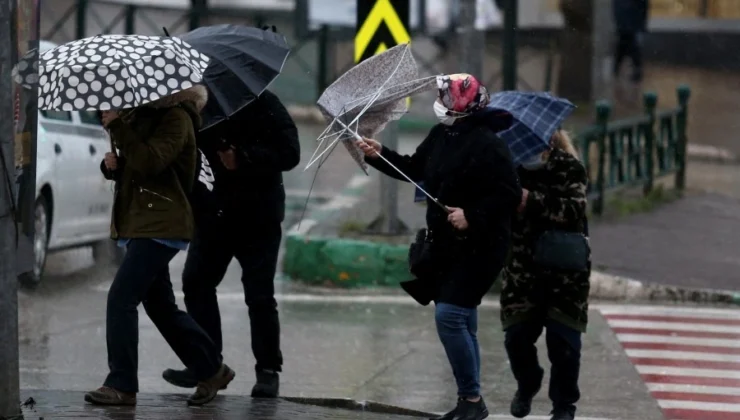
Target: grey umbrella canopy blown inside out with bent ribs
(368,96)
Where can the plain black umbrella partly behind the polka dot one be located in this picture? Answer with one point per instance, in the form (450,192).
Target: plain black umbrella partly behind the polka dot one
(244,61)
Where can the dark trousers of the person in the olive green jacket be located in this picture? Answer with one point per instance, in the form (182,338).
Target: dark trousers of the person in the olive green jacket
(144,277)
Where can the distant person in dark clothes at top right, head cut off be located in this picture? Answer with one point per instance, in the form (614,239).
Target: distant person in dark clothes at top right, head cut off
(630,17)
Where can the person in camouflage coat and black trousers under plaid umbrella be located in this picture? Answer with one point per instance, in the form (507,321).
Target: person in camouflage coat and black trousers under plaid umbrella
(533,297)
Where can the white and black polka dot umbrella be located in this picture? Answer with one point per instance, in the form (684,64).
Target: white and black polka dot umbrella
(113,72)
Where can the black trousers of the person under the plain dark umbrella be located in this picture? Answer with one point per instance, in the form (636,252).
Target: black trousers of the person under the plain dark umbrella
(256,248)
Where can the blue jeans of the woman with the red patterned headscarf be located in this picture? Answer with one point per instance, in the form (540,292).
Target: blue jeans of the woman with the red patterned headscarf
(458,328)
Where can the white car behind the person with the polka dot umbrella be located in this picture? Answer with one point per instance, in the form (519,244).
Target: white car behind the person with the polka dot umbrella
(73,200)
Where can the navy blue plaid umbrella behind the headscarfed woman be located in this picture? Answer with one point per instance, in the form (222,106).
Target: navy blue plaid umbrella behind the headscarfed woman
(536,117)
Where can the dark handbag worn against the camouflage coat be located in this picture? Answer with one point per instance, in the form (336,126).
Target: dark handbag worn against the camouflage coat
(563,250)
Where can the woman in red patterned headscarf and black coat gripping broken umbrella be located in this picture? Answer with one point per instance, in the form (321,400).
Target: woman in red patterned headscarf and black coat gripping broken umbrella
(467,167)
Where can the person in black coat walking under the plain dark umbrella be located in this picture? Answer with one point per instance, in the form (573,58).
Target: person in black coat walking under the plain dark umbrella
(242,219)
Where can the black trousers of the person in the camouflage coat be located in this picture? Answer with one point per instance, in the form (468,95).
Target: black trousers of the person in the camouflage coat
(564,351)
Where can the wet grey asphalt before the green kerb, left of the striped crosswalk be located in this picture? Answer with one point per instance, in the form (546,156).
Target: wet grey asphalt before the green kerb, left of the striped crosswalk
(333,347)
